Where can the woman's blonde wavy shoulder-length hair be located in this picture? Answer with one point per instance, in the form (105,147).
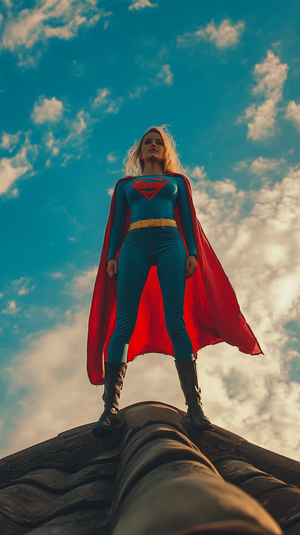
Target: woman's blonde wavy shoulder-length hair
(134,164)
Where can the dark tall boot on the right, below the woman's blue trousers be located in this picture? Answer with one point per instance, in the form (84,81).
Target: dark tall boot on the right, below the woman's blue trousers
(187,372)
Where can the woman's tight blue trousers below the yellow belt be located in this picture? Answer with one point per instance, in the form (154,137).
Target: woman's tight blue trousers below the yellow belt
(142,248)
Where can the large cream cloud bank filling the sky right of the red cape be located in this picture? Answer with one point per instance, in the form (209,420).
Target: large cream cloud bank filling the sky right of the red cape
(260,253)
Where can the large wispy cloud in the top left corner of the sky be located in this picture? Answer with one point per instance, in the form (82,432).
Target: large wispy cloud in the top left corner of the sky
(51,18)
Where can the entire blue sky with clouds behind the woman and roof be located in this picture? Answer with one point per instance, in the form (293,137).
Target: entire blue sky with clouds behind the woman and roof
(80,82)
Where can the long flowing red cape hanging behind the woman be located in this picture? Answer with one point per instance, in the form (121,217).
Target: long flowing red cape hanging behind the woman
(211,311)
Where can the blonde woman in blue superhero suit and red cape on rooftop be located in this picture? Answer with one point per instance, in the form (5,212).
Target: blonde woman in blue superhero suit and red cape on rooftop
(160,287)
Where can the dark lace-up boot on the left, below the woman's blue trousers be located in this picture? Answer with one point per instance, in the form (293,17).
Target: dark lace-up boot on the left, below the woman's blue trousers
(114,377)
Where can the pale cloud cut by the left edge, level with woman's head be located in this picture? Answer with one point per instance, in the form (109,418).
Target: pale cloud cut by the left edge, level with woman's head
(12,168)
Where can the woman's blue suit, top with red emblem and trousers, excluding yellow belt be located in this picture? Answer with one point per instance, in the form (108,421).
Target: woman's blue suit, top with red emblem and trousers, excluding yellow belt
(151,197)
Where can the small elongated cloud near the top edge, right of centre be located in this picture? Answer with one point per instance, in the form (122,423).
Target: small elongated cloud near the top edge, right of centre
(224,36)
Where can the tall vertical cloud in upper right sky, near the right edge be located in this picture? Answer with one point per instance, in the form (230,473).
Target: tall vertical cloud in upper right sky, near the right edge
(270,76)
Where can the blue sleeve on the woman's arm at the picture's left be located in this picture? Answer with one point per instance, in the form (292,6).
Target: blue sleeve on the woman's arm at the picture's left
(118,227)
